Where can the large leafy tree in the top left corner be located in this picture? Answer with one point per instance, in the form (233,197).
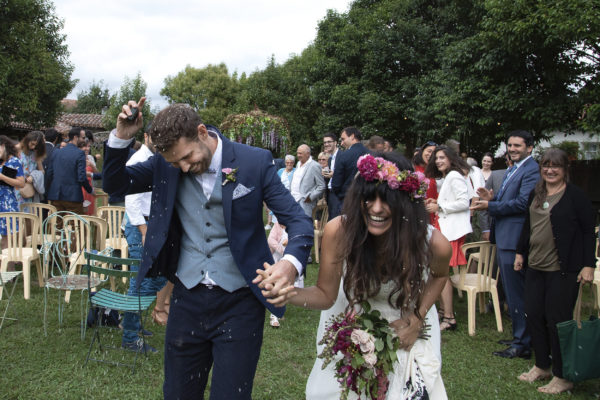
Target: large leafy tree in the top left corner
(35,73)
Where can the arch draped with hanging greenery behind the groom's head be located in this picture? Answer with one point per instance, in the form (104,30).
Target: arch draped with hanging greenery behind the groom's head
(257,128)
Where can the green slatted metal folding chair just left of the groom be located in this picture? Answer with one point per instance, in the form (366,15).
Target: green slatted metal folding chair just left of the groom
(104,266)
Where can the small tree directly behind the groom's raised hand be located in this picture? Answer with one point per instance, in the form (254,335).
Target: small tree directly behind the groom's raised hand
(131,89)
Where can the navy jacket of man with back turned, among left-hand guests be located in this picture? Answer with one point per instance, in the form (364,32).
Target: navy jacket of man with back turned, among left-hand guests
(66,174)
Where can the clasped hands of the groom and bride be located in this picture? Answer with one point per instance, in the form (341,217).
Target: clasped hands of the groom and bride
(277,281)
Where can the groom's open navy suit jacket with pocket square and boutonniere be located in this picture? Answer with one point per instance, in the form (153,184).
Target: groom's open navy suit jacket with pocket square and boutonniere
(243,216)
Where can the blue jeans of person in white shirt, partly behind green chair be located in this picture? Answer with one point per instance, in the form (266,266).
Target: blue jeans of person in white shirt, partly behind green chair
(149,286)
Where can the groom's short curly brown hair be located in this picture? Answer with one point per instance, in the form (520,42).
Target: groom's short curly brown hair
(172,123)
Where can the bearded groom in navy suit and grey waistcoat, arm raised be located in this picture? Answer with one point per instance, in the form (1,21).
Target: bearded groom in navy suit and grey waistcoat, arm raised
(205,233)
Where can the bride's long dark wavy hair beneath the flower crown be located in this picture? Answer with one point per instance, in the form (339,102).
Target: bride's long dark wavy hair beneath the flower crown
(401,255)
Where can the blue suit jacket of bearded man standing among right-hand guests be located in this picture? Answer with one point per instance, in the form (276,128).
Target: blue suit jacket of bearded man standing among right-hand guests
(509,207)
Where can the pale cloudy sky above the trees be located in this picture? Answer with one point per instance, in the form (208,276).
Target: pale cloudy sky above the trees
(111,39)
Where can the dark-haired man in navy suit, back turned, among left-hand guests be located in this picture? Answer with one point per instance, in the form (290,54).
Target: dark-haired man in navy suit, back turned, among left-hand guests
(66,175)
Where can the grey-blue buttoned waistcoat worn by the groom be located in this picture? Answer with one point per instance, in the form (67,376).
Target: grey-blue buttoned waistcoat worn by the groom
(204,242)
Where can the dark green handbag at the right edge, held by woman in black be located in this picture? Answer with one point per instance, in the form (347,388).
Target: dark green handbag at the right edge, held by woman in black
(580,345)
